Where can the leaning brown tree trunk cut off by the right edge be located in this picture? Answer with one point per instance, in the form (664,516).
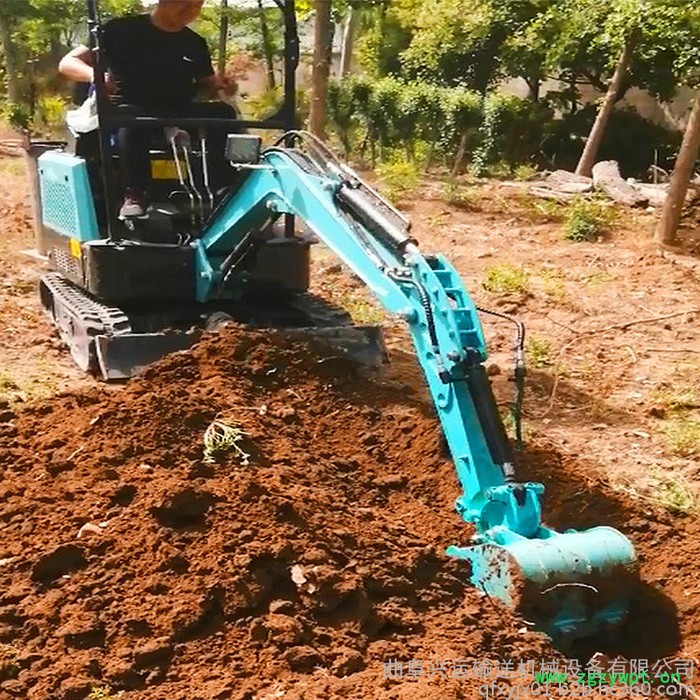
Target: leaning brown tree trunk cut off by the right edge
(682,172)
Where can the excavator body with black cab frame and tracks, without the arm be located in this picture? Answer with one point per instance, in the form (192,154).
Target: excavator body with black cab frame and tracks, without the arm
(144,270)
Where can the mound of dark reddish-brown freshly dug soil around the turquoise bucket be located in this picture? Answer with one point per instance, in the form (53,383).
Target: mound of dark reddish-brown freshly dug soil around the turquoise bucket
(131,562)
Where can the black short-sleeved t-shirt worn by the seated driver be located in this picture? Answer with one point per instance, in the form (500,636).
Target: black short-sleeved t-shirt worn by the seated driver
(153,67)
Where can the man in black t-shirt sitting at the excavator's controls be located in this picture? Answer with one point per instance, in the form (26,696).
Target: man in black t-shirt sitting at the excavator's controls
(157,65)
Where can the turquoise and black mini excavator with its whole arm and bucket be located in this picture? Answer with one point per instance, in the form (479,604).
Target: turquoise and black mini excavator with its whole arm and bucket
(123,294)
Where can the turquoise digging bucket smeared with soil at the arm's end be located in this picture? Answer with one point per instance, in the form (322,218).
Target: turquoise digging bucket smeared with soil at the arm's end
(571,586)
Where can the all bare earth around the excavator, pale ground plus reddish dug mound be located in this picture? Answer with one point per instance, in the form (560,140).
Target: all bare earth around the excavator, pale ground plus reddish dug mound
(129,561)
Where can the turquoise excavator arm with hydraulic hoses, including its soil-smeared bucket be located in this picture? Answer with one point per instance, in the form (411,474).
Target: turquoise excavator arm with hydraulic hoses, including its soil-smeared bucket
(567,582)
